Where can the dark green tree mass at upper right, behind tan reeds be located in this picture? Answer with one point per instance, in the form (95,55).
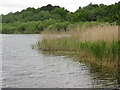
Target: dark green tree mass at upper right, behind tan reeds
(94,12)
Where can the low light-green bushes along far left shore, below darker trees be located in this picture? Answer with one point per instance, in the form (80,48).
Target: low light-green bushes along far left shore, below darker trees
(27,27)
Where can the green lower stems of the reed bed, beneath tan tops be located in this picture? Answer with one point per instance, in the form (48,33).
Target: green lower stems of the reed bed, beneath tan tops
(99,49)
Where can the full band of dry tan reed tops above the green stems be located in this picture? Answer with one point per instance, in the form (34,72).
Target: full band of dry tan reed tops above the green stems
(101,32)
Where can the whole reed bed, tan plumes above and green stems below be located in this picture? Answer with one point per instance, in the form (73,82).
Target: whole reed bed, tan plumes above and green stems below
(98,42)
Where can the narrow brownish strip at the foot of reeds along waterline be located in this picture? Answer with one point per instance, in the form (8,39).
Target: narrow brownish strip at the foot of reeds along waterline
(87,59)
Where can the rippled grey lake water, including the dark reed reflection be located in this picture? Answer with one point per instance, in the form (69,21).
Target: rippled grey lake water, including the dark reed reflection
(24,67)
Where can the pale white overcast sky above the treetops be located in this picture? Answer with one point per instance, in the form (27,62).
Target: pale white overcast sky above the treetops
(7,6)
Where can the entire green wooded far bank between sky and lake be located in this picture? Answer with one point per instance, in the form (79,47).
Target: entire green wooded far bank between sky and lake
(33,20)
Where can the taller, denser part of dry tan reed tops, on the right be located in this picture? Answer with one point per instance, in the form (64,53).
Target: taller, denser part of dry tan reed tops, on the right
(104,32)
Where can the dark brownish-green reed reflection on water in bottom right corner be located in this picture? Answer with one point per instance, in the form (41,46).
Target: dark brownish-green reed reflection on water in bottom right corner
(106,76)
